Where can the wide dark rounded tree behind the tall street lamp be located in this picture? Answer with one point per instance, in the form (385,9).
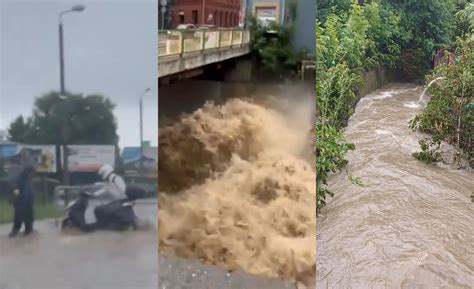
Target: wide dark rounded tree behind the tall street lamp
(85,120)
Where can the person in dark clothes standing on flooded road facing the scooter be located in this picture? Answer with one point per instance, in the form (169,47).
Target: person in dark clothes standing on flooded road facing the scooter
(23,203)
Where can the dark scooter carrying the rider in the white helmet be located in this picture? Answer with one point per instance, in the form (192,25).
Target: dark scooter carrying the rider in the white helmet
(117,215)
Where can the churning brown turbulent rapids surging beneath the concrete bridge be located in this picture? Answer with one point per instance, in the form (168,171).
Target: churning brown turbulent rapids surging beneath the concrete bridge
(237,191)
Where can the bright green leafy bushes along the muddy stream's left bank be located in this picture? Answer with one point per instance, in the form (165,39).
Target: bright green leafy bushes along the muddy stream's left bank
(352,39)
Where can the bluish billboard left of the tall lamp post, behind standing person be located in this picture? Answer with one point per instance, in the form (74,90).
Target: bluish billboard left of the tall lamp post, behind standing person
(16,156)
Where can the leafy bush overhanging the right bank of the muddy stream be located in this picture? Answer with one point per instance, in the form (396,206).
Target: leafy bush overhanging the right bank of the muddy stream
(448,116)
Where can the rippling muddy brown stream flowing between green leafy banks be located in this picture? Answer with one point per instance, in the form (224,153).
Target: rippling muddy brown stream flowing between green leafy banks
(412,226)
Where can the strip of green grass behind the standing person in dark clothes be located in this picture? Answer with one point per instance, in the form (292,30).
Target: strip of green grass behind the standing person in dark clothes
(41,211)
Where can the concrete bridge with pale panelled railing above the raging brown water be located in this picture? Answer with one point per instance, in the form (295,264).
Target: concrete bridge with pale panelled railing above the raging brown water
(181,53)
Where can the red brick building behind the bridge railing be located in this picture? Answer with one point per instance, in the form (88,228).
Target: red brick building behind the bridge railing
(221,13)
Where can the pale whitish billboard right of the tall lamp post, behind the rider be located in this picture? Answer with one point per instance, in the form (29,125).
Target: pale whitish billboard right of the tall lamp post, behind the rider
(89,158)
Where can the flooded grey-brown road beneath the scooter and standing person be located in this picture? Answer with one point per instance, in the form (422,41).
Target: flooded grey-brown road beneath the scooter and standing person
(100,260)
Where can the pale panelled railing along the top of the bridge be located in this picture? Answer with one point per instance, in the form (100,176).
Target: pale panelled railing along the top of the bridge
(176,42)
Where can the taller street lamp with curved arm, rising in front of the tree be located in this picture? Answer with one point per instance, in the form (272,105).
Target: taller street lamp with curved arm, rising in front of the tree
(75,8)
